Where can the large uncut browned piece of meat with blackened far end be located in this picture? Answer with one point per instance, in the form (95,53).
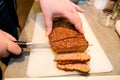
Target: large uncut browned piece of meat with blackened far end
(65,38)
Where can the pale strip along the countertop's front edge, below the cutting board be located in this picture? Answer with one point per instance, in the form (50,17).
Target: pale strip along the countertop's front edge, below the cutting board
(113,77)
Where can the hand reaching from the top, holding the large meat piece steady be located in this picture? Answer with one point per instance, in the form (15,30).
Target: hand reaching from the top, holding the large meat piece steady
(63,8)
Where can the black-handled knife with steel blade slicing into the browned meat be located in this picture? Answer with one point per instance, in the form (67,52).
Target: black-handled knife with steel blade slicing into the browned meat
(24,44)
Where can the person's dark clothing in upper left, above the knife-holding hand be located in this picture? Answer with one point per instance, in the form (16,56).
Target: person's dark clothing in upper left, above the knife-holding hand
(9,19)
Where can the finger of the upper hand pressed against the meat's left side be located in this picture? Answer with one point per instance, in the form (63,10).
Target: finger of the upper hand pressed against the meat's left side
(48,23)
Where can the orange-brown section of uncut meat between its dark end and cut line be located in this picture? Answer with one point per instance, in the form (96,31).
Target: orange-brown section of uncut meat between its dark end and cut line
(61,32)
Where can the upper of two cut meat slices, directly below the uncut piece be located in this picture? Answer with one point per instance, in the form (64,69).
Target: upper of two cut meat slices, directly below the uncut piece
(70,58)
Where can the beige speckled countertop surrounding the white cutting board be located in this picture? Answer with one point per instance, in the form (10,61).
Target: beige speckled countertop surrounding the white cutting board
(107,37)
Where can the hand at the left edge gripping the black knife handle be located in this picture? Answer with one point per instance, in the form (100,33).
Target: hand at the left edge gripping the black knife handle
(7,45)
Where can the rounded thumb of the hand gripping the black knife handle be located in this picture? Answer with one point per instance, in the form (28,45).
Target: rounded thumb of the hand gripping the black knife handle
(13,48)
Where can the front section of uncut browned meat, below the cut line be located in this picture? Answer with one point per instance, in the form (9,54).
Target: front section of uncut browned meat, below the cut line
(69,45)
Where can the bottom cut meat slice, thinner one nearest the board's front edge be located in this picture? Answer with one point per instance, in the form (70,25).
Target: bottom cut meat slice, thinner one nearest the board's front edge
(84,68)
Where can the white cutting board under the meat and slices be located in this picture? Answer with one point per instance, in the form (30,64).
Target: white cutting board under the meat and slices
(41,60)
